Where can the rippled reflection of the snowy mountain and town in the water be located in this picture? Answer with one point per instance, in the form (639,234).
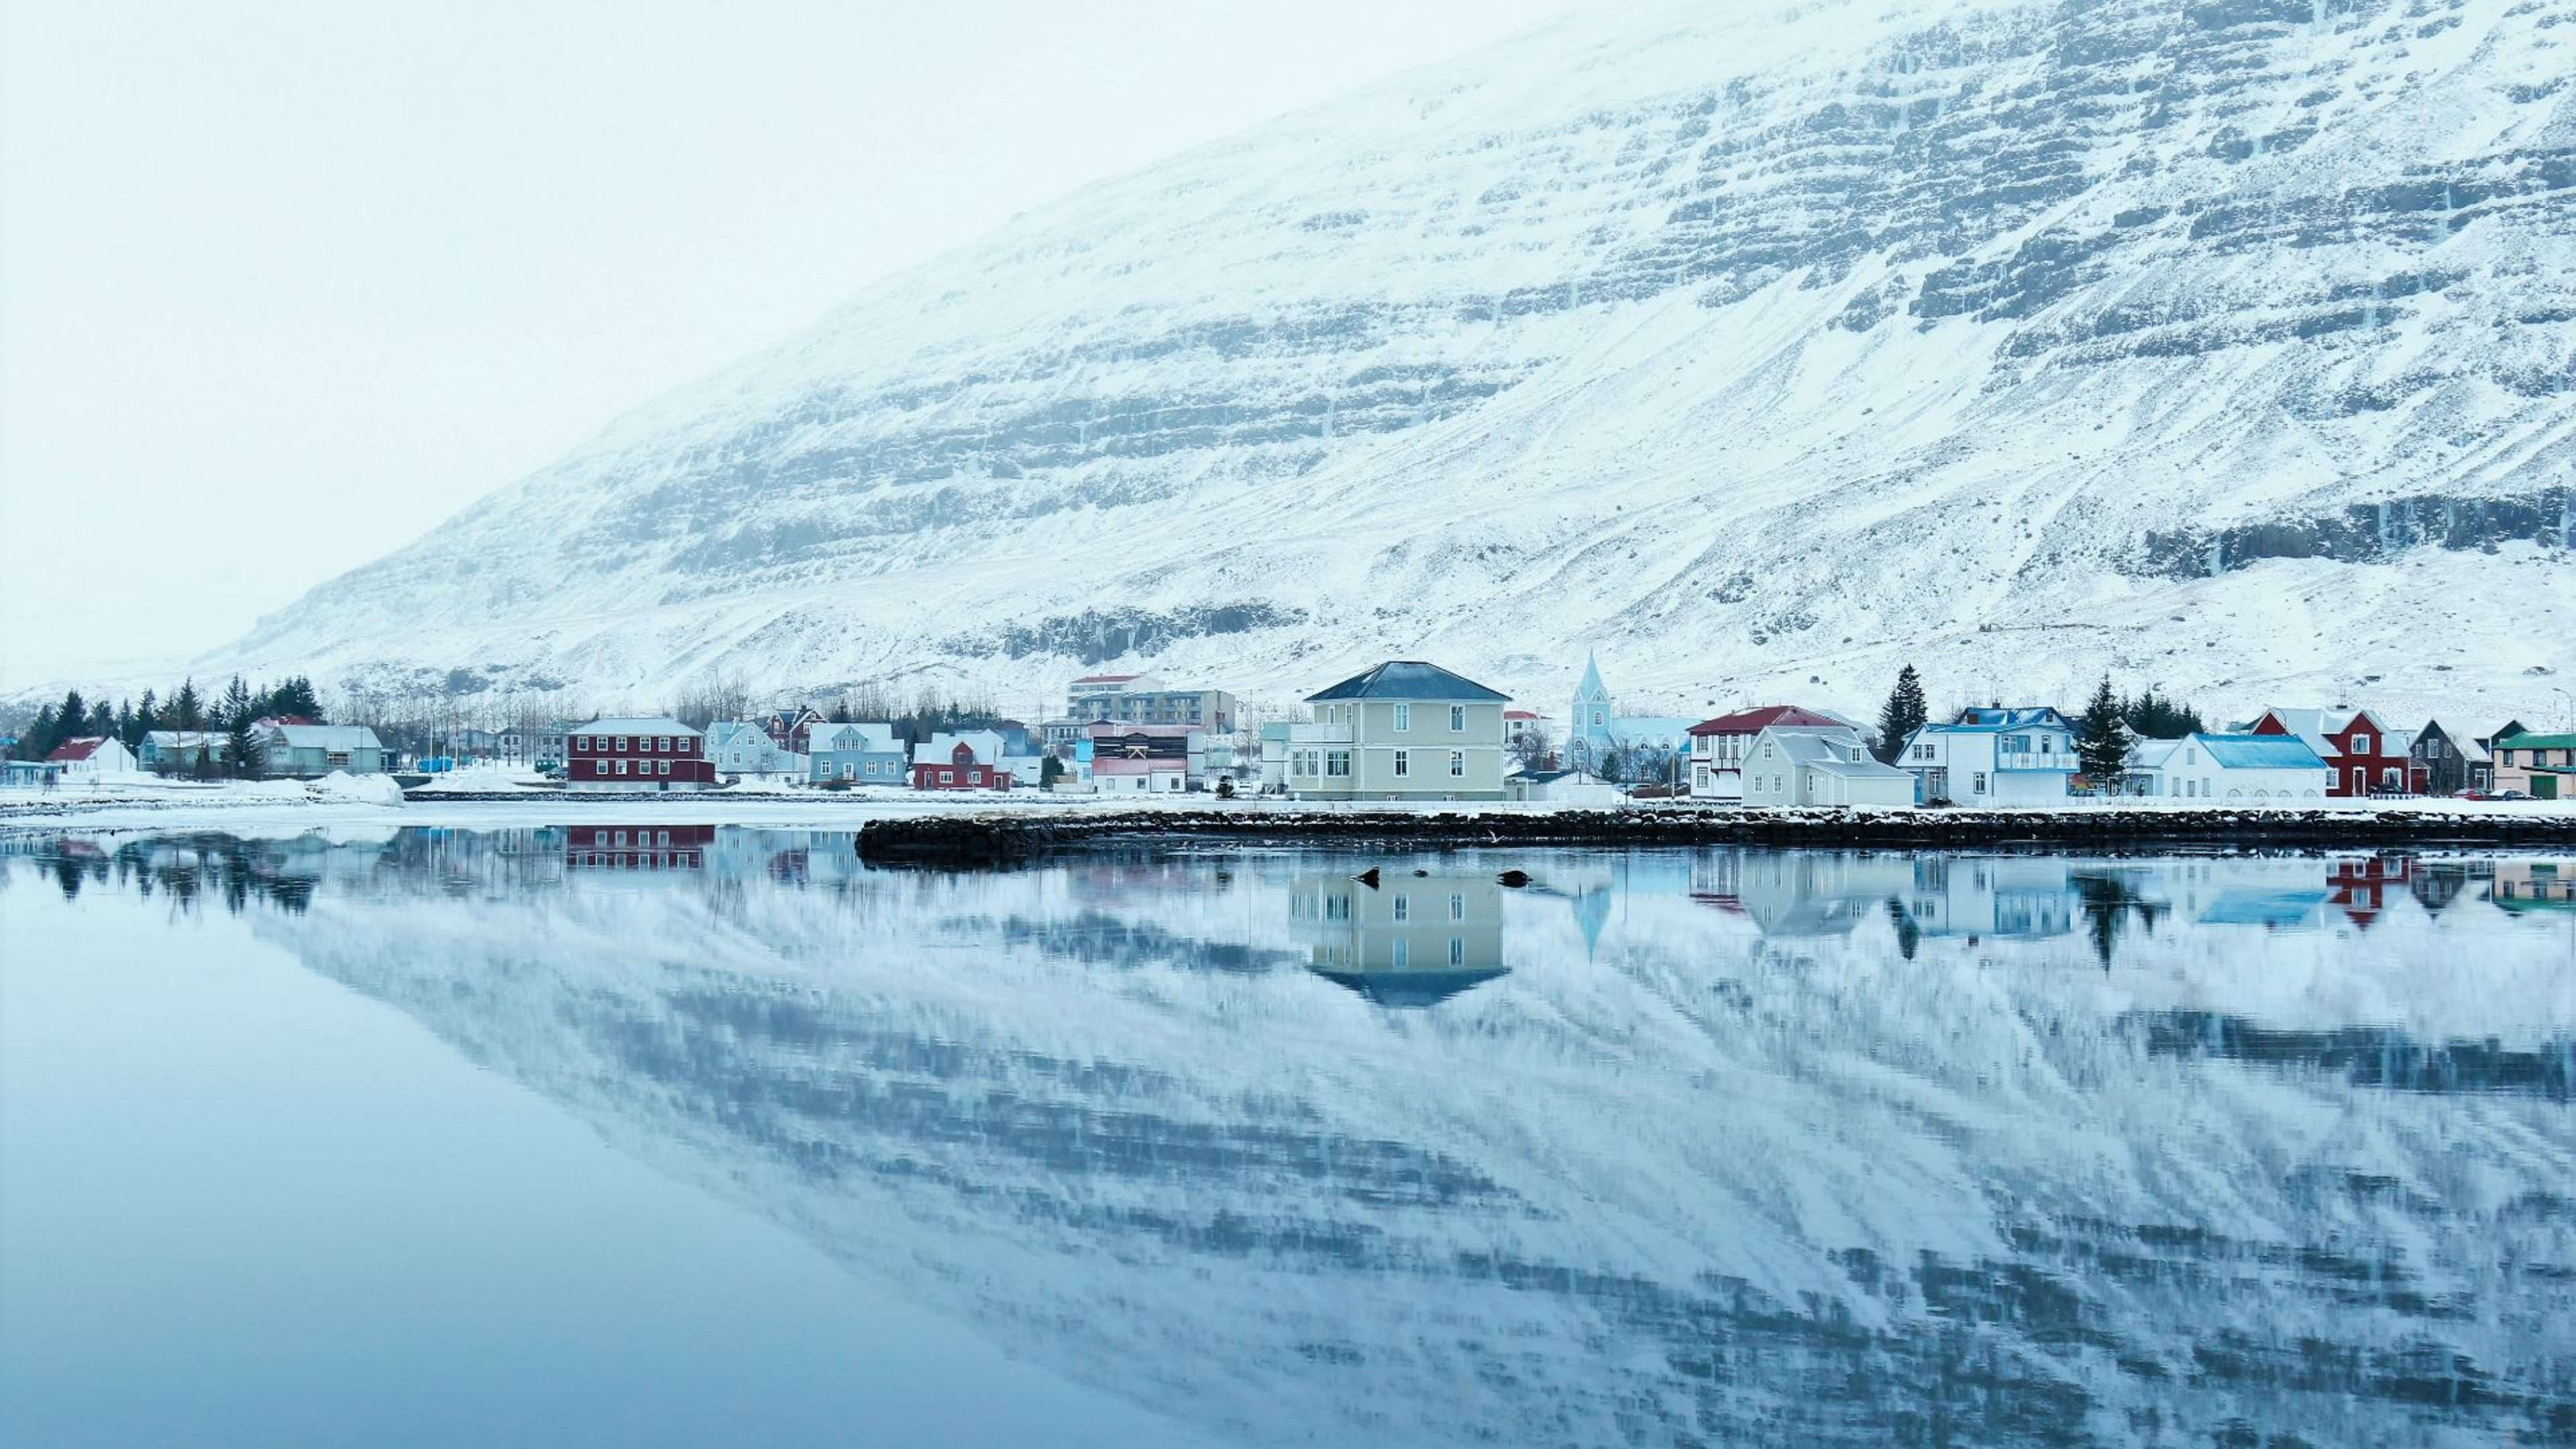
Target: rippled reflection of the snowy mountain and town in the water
(1665,1149)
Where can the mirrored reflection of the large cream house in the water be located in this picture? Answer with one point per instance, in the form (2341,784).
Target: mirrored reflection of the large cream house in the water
(1408,940)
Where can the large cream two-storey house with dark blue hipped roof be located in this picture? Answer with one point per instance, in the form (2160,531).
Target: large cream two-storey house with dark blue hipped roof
(1403,731)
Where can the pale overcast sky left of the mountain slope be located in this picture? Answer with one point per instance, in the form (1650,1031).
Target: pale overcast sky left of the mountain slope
(287,285)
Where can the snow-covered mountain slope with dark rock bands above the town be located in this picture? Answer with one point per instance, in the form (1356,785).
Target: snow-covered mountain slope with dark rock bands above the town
(2222,344)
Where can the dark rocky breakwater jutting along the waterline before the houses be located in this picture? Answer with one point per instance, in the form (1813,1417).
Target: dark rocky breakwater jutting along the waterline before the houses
(967,842)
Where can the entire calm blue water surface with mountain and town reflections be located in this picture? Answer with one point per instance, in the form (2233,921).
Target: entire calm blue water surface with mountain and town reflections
(684,1136)
